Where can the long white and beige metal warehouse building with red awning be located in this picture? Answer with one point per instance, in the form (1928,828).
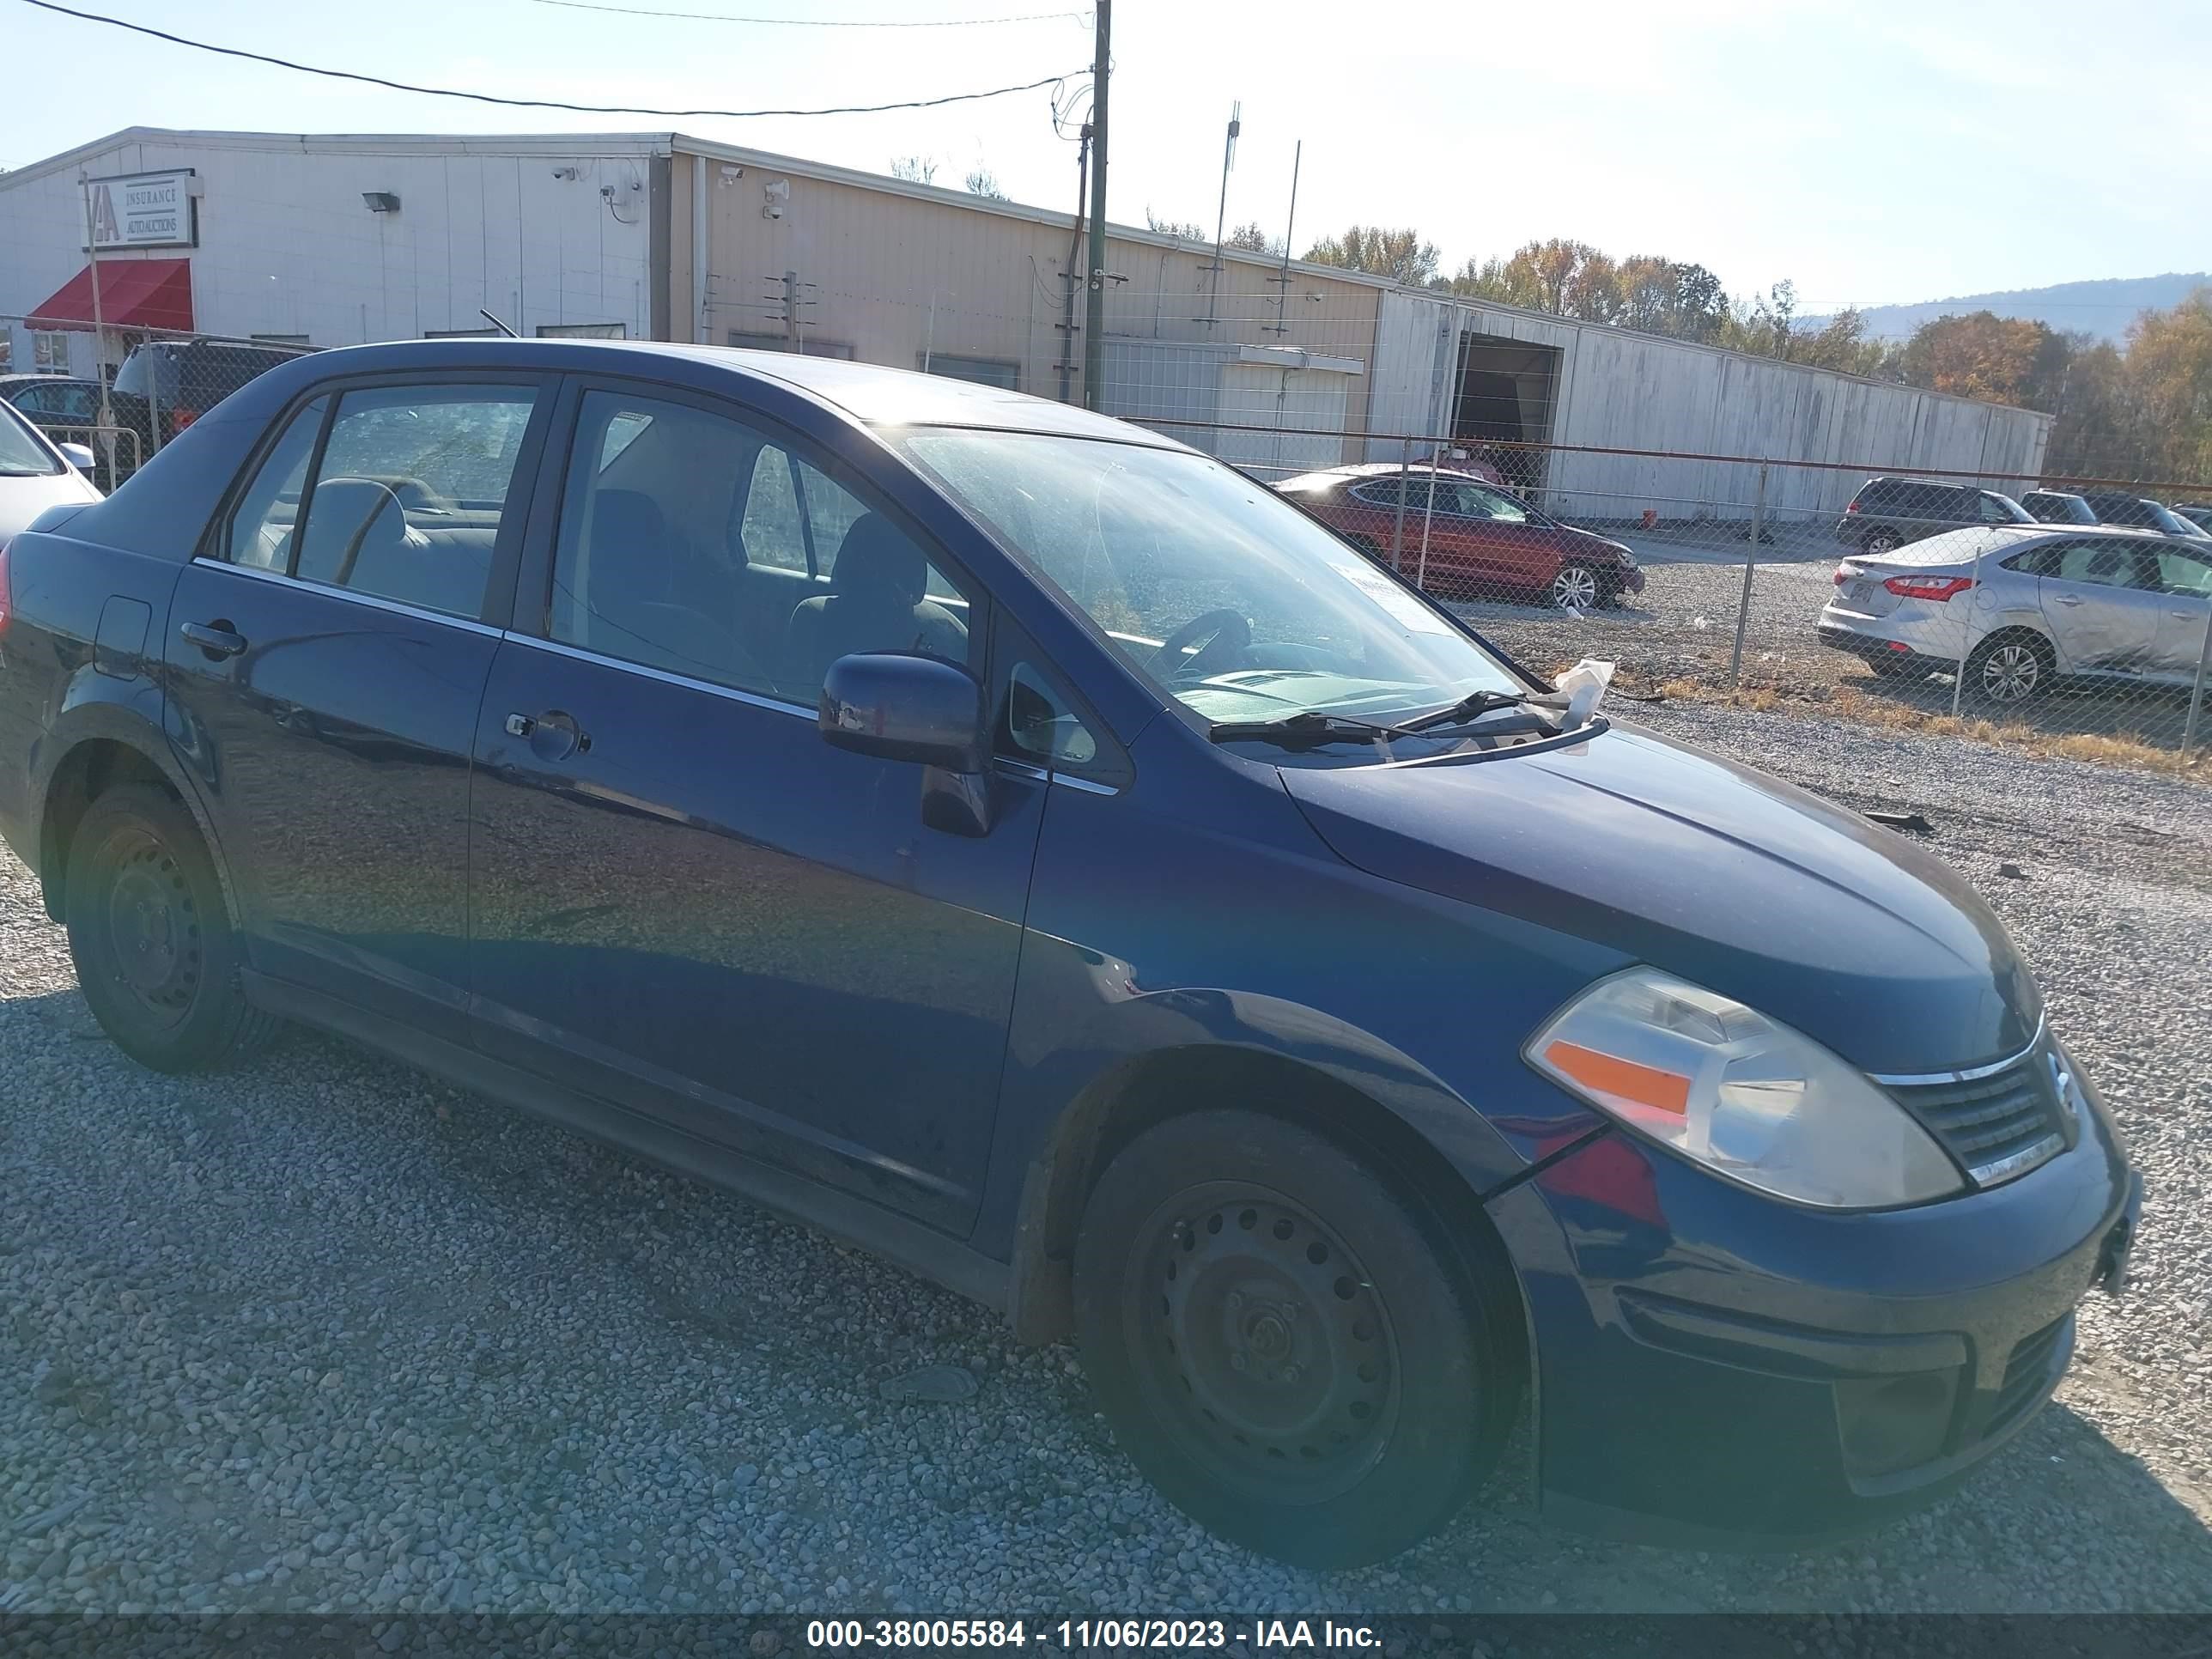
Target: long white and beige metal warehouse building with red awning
(656,236)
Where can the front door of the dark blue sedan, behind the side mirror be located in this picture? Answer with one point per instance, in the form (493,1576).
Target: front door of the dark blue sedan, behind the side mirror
(687,901)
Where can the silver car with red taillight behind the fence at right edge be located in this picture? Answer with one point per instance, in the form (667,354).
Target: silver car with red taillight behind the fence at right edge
(2025,607)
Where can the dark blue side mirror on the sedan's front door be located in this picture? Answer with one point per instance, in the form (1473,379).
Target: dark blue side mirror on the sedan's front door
(915,709)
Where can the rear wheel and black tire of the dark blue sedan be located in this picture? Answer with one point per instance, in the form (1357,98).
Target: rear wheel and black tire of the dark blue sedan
(156,952)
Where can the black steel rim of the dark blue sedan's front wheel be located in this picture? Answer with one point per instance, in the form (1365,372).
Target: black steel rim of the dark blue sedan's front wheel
(1262,1346)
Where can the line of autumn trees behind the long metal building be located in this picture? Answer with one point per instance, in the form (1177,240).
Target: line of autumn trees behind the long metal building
(2136,410)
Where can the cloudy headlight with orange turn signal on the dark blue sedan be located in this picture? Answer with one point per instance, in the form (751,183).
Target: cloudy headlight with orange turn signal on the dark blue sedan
(1740,1094)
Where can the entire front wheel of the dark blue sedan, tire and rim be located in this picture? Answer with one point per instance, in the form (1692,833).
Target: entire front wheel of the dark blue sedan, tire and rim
(1282,1346)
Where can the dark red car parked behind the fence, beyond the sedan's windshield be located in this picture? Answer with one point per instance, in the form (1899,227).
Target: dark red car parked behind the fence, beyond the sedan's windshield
(1485,543)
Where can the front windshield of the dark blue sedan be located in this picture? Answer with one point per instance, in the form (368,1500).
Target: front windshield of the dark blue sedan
(1220,594)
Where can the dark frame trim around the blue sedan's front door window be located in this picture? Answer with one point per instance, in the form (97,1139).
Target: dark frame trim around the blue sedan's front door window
(534,605)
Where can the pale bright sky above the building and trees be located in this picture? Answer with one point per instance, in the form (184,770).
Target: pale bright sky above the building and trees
(1864,149)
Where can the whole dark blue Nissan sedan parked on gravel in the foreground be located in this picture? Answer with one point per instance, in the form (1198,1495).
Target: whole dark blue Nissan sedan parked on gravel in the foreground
(1036,853)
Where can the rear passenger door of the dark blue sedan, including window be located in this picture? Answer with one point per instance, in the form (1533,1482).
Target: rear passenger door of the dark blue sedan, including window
(326,658)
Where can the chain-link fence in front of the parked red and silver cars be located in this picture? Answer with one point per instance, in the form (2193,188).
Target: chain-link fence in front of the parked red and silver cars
(2058,614)
